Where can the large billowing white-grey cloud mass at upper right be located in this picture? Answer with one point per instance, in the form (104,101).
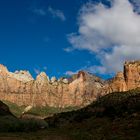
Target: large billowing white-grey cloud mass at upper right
(113,34)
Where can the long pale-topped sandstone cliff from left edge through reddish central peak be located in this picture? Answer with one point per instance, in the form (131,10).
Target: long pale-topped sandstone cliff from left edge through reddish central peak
(20,87)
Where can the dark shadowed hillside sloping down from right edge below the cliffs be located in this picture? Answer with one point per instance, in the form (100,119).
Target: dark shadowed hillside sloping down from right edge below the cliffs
(115,116)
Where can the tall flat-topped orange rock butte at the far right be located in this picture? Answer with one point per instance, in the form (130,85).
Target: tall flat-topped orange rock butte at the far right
(128,79)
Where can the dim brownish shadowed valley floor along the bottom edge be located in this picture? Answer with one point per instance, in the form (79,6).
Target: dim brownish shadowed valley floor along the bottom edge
(126,128)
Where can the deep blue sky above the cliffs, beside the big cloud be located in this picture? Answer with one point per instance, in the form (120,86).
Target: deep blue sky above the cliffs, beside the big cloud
(41,35)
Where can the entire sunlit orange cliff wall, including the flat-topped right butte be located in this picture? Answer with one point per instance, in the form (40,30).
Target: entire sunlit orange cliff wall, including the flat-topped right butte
(79,90)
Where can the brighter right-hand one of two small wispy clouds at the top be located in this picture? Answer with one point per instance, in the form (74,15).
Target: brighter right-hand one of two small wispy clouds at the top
(57,13)
